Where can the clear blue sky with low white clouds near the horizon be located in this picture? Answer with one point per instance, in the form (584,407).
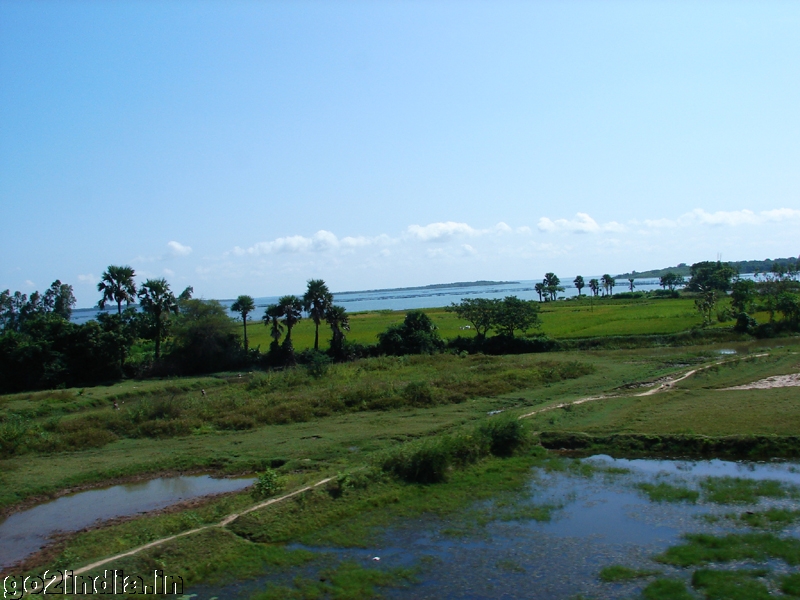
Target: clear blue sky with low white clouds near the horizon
(245,147)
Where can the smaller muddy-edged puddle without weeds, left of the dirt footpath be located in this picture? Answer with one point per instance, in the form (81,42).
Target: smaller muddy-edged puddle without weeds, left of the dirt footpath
(23,533)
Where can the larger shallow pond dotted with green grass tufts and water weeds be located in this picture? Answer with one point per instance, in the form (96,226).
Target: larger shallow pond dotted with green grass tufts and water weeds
(598,517)
